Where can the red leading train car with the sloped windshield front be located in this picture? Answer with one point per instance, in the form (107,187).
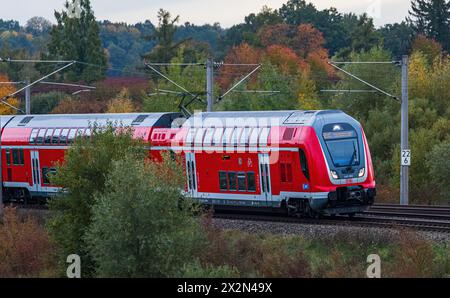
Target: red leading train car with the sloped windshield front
(305,162)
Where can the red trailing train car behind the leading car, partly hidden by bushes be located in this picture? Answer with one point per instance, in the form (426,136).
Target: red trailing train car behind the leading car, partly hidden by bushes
(31,146)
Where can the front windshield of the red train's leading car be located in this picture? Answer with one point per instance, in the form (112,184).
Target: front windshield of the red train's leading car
(342,144)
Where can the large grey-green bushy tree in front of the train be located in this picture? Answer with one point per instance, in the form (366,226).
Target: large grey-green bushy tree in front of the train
(139,228)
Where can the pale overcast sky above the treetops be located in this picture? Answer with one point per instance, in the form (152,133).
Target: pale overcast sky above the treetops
(226,12)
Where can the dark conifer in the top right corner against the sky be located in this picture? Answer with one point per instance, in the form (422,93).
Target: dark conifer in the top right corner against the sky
(432,18)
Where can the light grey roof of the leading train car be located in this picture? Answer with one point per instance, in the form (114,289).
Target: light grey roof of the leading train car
(261,118)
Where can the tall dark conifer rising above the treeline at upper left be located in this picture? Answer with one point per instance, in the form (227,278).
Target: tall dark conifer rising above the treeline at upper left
(77,38)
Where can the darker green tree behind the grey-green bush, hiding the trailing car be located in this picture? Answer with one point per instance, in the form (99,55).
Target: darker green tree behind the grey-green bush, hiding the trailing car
(83,175)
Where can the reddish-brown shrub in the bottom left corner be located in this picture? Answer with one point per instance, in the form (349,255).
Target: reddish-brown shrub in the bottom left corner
(25,248)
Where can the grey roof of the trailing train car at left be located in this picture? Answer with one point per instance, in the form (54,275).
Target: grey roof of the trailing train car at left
(85,120)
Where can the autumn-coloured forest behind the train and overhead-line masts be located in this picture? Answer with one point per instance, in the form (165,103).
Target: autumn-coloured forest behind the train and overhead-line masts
(293,44)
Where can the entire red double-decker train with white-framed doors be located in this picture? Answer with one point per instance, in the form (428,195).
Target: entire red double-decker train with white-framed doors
(303,162)
